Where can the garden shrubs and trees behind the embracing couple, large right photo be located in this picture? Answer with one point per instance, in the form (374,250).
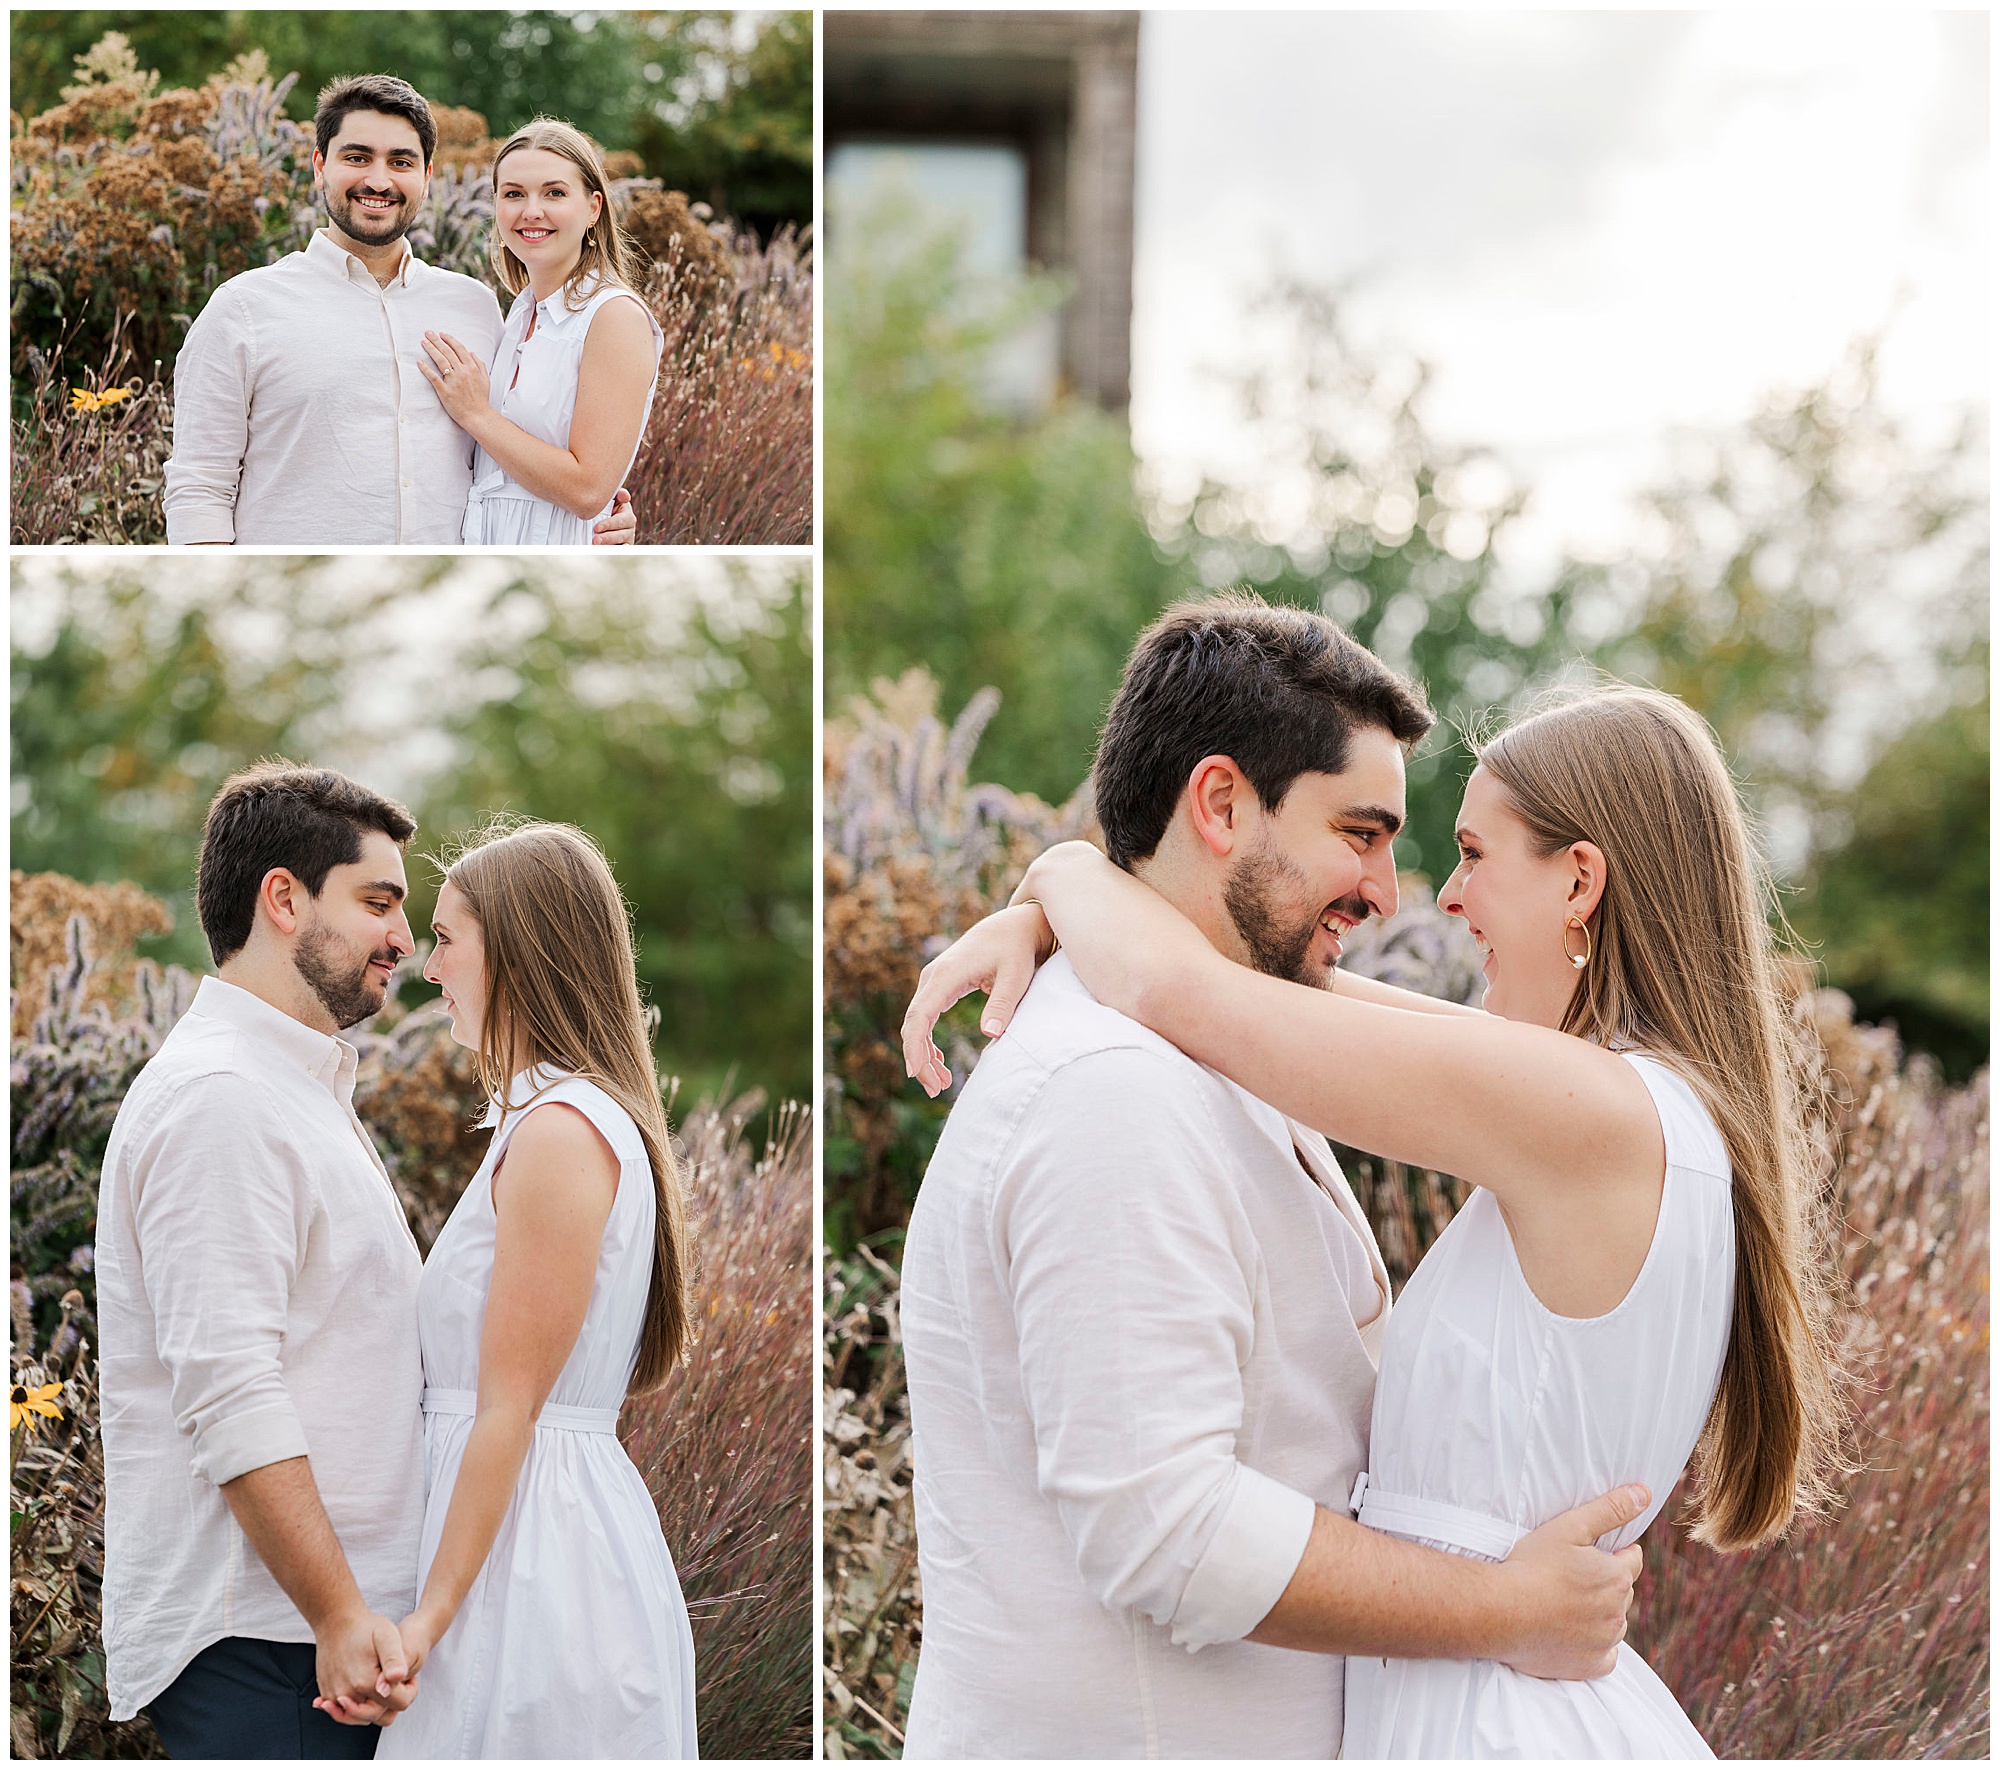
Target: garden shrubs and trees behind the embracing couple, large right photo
(1813,579)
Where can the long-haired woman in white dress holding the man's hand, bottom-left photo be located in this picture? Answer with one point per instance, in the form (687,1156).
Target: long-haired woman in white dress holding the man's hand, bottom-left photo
(549,1621)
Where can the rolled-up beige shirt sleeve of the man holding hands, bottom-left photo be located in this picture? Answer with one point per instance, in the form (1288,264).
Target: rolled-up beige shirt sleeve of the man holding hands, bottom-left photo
(223,1215)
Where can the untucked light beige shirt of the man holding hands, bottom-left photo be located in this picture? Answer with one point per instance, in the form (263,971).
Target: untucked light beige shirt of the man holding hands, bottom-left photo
(257,1297)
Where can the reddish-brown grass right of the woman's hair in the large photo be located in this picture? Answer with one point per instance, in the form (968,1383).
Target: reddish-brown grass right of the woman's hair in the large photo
(1865,1635)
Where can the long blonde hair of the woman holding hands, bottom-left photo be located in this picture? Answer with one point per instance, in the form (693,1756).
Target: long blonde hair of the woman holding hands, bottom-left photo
(563,989)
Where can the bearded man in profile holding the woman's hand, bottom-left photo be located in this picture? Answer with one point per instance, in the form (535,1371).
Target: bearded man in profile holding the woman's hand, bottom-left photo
(257,1291)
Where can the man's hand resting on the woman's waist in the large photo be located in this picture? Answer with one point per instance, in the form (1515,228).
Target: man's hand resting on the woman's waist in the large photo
(1569,1595)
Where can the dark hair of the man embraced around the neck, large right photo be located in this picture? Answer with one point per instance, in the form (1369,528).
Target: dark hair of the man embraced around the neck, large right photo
(1279,691)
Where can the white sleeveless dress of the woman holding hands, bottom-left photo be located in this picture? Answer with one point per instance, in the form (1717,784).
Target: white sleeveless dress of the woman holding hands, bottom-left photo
(575,1639)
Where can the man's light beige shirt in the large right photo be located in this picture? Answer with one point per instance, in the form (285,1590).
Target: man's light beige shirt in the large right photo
(1141,1315)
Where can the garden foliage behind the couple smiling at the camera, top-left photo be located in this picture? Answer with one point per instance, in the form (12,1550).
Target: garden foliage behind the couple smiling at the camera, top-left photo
(135,199)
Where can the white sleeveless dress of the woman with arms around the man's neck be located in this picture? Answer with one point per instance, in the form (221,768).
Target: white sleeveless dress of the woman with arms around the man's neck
(1493,1415)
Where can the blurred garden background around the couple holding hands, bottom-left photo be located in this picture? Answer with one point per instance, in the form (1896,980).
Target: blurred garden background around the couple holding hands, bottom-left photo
(661,705)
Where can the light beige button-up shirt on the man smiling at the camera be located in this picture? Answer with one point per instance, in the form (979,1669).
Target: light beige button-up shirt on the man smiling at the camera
(301,415)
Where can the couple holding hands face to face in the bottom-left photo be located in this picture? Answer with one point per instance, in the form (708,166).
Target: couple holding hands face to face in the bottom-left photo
(361,1497)
